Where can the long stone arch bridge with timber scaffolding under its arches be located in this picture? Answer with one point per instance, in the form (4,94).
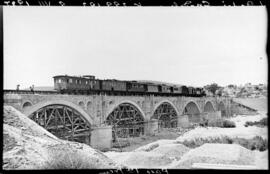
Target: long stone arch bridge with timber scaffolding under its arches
(80,112)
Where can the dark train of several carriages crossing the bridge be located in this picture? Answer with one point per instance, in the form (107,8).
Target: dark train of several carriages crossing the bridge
(88,84)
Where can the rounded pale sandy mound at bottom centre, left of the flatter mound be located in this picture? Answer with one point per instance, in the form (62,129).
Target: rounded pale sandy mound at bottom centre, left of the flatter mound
(158,154)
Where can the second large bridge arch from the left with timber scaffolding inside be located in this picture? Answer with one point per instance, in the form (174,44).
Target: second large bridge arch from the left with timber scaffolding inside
(126,119)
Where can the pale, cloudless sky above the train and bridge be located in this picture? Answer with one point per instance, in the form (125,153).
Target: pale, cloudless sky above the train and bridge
(184,45)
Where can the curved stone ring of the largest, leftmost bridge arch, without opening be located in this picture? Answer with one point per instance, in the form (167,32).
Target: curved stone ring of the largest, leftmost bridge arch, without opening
(40,105)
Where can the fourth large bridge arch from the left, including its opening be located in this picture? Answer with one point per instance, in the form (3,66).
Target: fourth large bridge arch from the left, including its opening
(193,111)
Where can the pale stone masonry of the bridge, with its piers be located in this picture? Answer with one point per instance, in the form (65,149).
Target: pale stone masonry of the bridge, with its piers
(96,109)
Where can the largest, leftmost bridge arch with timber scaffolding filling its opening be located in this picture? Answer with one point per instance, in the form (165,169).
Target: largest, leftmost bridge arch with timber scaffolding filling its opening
(63,119)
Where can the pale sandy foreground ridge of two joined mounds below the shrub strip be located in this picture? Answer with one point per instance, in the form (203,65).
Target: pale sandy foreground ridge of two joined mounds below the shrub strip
(170,155)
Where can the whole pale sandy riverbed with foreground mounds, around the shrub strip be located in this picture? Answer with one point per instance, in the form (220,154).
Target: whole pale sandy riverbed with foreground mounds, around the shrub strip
(173,156)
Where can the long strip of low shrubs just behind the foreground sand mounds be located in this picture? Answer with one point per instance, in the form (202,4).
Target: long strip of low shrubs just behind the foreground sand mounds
(256,143)
